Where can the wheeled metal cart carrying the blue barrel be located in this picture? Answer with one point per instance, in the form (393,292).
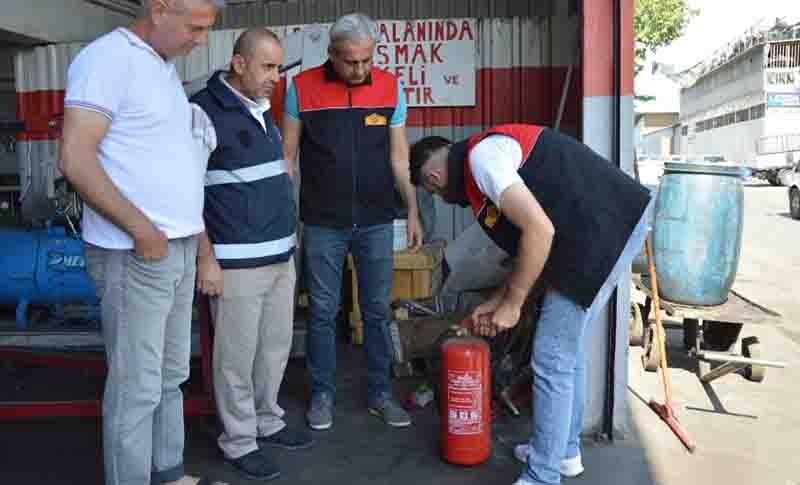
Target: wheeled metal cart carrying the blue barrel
(710,334)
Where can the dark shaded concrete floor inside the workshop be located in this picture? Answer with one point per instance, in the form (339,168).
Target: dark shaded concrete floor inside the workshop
(360,449)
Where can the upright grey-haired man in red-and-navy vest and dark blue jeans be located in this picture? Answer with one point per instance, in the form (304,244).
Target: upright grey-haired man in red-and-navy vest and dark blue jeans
(347,120)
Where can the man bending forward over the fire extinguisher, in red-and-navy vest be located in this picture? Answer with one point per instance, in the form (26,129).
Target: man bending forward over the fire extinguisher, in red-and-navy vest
(569,218)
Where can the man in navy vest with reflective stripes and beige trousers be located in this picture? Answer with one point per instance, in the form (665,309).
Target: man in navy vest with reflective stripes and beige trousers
(245,260)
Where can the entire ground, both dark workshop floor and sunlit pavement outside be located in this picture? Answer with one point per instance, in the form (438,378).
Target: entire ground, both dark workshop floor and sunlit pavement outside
(746,433)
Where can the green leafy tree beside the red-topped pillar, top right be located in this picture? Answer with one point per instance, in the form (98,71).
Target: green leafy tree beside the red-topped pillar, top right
(657,23)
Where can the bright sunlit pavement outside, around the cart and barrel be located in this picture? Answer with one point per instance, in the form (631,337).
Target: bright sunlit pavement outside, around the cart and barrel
(746,433)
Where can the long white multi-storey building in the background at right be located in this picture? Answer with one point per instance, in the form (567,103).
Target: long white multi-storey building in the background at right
(744,102)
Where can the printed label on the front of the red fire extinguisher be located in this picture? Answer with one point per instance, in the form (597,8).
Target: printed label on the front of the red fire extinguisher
(464,402)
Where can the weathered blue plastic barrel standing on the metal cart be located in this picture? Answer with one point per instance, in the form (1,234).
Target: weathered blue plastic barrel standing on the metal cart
(698,231)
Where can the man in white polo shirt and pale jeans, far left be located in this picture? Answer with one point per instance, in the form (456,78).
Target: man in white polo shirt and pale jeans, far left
(128,149)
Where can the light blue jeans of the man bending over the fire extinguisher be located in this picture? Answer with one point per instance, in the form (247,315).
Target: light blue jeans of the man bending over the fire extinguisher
(559,369)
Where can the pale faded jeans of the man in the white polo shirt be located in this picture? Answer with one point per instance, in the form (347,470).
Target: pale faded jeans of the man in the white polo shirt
(146,308)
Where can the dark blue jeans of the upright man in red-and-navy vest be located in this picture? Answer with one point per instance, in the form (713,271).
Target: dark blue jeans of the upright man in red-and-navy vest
(325,250)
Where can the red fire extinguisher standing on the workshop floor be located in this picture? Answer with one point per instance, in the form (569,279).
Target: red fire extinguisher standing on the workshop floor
(466,399)
